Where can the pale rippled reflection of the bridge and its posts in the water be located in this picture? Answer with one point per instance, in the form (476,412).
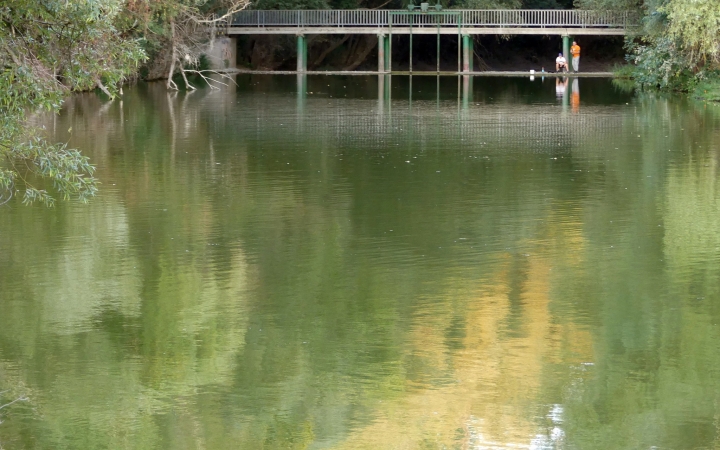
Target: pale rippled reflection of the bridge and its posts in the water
(441,123)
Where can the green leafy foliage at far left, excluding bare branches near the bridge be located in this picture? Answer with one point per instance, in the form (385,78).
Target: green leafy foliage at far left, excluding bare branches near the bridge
(49,49)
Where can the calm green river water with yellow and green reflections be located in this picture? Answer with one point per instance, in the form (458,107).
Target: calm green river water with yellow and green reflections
(375,263)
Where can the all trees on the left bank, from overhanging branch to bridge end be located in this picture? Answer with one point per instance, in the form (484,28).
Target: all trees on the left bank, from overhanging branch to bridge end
(53,47)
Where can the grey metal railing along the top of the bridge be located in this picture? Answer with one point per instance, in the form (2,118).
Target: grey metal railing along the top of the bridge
(533,18)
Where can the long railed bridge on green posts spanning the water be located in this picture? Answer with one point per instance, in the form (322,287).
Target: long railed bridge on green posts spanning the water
(459,22)
